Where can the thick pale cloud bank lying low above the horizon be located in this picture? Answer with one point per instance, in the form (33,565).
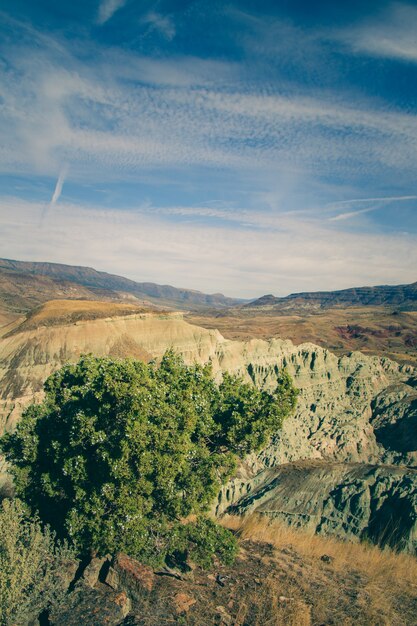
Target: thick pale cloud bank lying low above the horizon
(294,254)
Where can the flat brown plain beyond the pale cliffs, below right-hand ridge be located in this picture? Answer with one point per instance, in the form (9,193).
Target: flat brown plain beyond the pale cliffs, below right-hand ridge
(372,330)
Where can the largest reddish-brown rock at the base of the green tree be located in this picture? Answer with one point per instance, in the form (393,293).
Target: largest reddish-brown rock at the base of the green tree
(134,577)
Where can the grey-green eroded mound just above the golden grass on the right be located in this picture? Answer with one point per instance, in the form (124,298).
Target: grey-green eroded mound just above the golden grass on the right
(349,500)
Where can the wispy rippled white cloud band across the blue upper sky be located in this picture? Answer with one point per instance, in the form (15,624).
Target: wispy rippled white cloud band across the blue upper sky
(112,117)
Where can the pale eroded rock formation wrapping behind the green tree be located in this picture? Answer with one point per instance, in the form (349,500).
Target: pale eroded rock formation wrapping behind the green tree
(351,409)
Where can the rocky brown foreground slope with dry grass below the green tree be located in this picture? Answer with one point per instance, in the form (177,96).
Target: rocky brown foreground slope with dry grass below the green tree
(273,583)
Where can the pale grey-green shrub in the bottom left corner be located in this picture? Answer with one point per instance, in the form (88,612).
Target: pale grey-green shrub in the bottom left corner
(31,565)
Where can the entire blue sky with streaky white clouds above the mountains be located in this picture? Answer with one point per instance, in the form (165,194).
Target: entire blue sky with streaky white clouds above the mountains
(244,147)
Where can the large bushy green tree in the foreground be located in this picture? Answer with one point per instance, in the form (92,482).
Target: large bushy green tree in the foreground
(119,451)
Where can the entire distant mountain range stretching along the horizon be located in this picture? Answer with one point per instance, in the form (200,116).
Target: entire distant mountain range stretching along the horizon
(24,285)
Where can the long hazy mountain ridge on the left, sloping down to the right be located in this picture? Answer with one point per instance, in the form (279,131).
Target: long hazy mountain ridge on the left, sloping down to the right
(24,285)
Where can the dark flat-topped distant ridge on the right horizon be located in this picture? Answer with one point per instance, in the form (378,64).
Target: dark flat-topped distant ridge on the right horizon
(403,296)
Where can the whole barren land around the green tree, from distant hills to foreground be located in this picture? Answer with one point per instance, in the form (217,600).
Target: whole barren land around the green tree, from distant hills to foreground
(343,467)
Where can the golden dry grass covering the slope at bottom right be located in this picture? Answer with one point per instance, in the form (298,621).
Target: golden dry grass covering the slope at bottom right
(354,584)
